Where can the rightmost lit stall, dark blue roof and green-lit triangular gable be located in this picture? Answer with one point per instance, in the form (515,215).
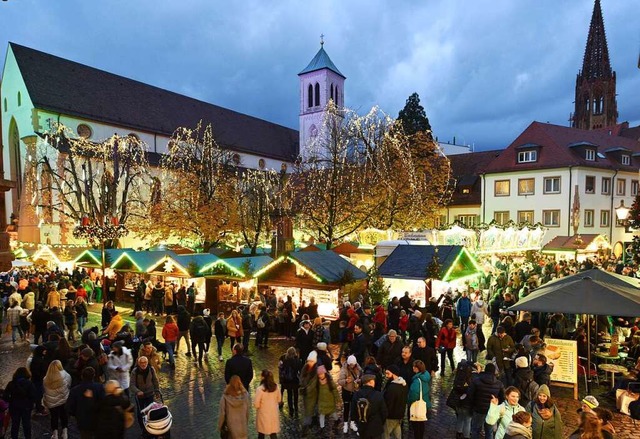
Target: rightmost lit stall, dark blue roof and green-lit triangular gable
(428,271)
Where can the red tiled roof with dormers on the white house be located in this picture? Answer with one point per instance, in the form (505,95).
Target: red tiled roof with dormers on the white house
(554,151)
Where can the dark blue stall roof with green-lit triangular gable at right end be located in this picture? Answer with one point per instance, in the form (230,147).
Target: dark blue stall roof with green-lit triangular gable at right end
(411,261)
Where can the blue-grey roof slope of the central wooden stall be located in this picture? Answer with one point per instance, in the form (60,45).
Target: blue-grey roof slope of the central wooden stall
(326,264)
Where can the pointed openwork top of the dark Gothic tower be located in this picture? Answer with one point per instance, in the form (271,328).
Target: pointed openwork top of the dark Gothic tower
(596,62)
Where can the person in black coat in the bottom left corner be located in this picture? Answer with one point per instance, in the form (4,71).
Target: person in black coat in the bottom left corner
(20,394)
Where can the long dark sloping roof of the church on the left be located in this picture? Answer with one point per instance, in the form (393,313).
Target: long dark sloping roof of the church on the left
(67,87)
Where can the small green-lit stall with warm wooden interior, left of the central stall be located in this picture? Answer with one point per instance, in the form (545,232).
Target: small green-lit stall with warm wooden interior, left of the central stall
(232,281)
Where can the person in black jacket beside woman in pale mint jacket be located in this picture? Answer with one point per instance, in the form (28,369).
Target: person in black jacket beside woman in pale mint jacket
(482,389)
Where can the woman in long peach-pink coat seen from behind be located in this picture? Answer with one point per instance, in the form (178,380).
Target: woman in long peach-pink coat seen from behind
(267,404)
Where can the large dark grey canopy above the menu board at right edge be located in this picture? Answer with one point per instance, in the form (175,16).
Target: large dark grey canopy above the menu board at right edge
(593,291)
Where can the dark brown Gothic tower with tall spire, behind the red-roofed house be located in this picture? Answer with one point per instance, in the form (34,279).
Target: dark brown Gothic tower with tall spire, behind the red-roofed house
(596,105)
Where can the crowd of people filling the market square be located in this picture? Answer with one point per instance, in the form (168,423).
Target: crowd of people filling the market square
(378,375)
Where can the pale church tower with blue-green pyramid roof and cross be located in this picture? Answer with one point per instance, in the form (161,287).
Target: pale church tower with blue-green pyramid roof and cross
(320,82)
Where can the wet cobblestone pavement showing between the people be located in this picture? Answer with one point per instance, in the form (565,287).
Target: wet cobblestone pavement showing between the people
(192,394)
